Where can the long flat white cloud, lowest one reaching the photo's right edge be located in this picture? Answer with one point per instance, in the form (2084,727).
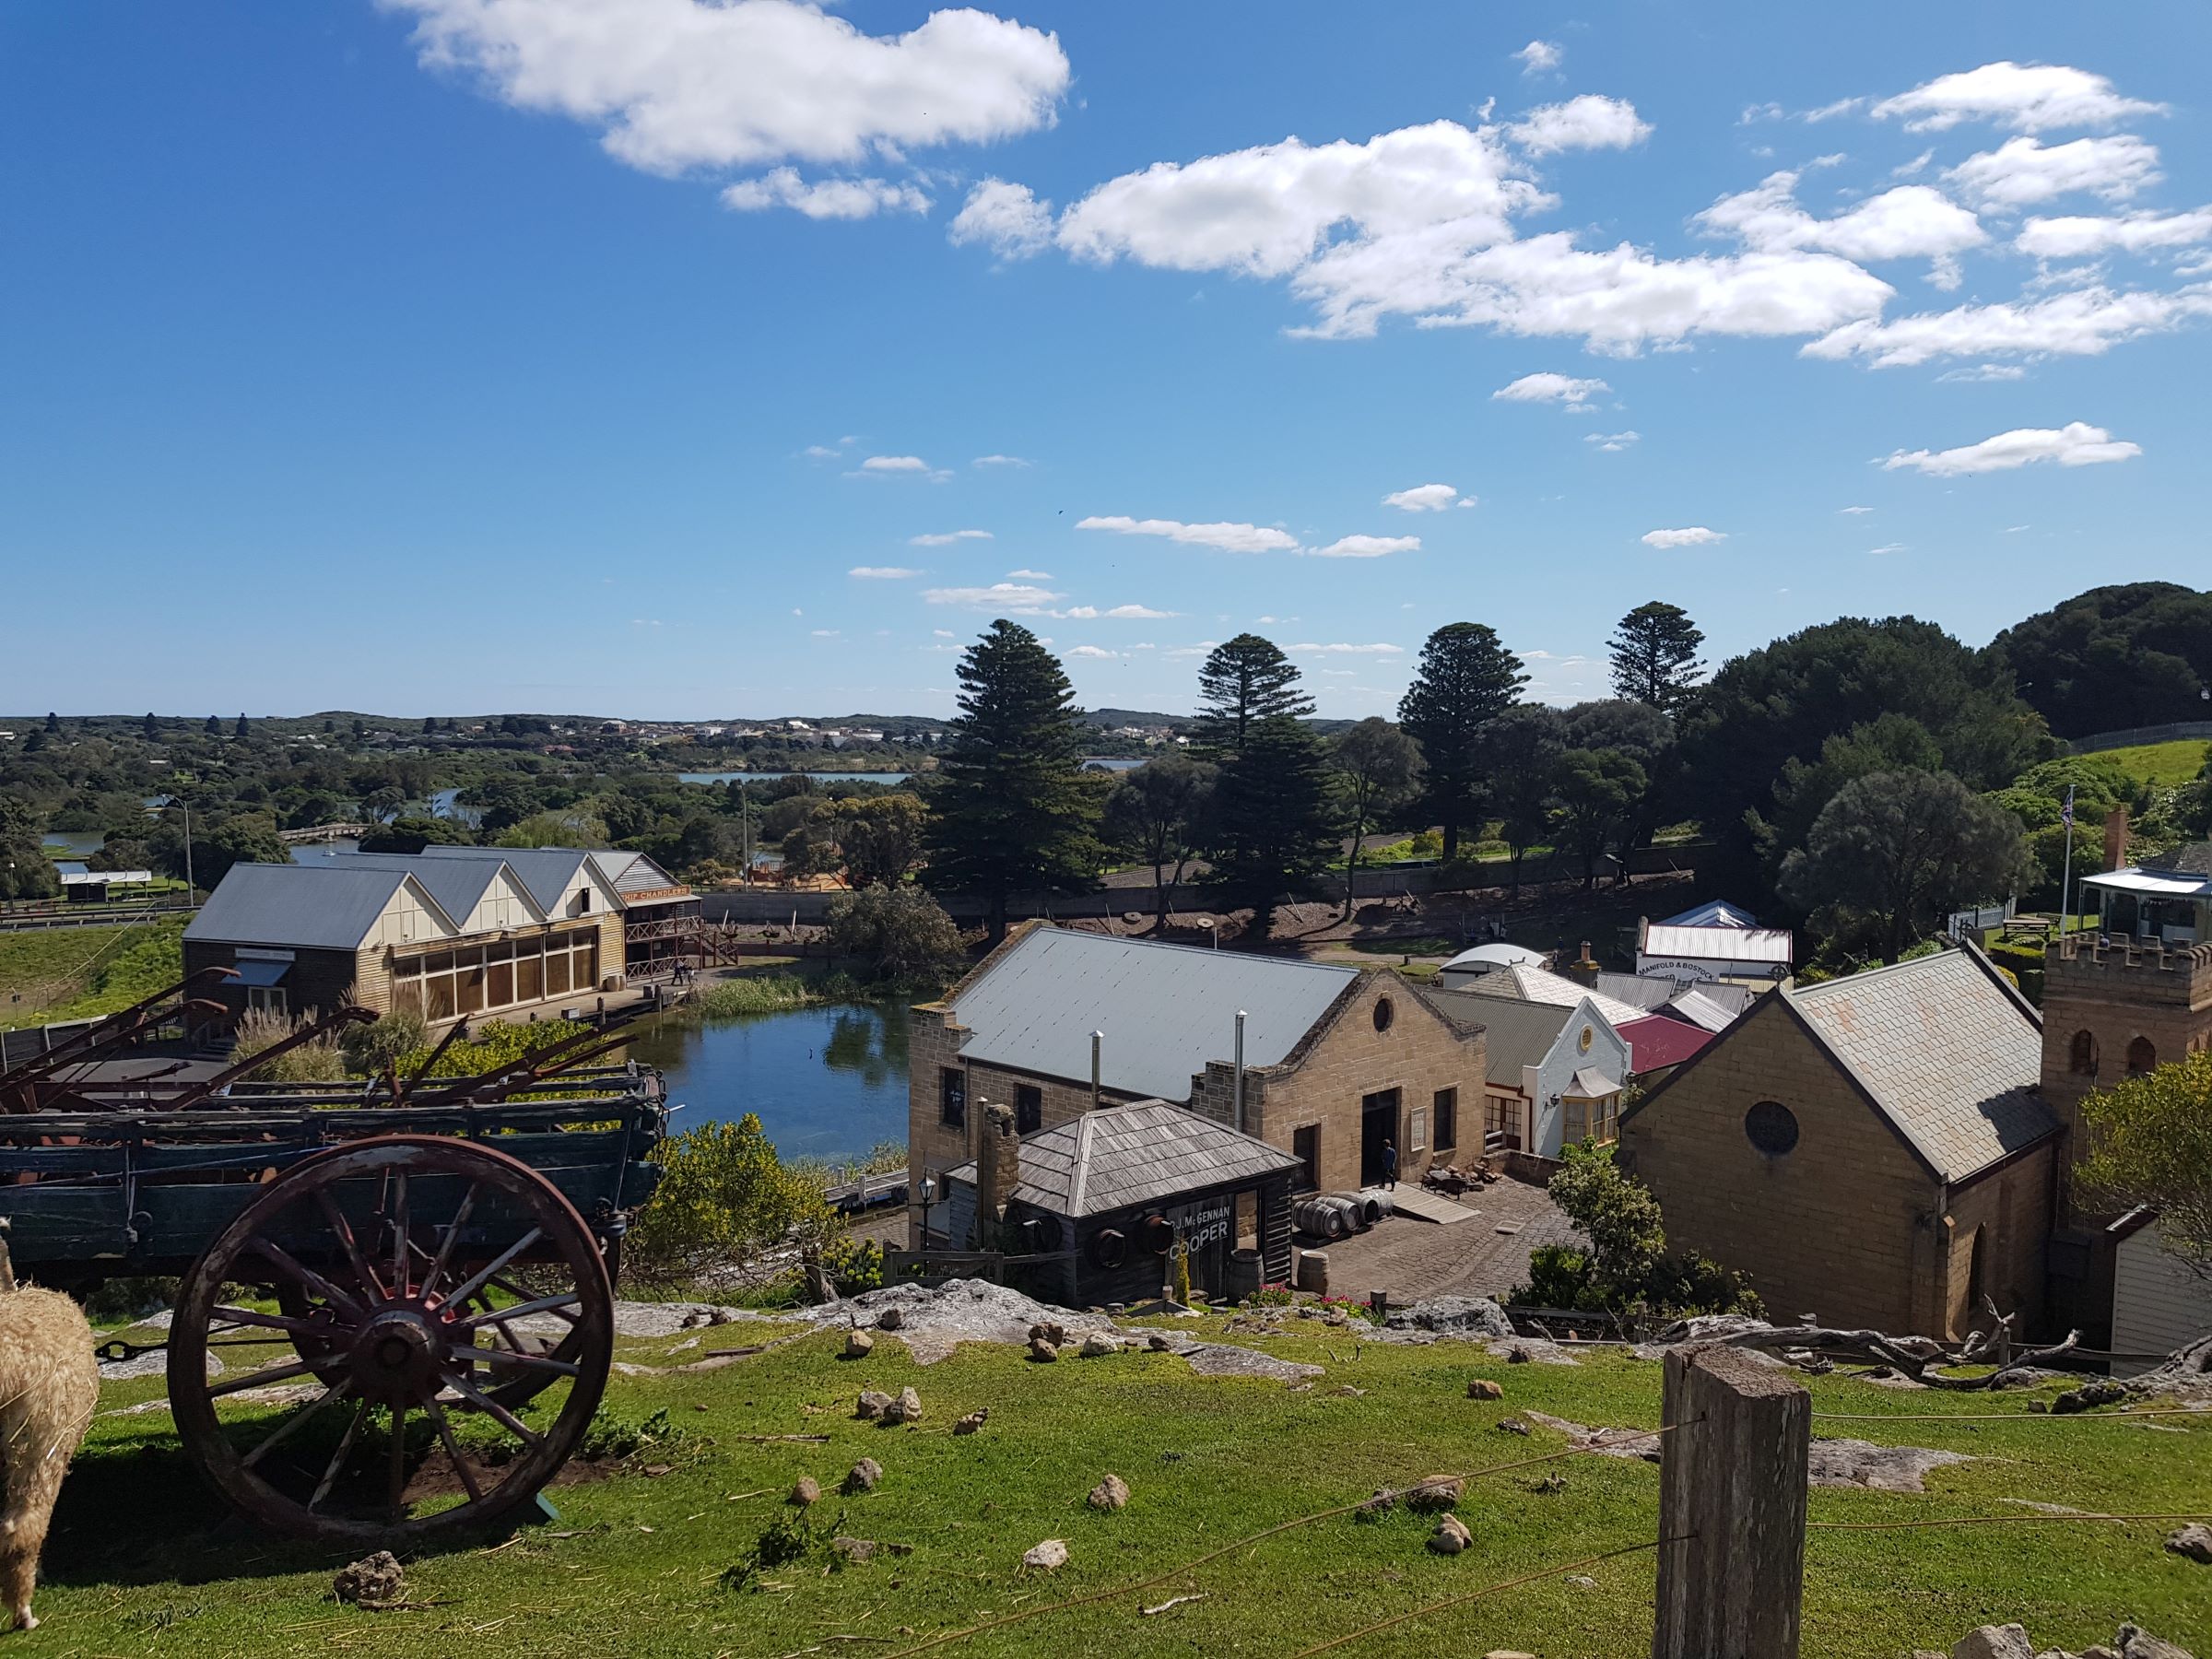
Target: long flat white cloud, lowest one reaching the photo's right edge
(2085,322)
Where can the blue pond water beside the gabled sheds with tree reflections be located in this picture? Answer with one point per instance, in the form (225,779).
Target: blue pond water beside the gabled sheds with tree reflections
(824,1083)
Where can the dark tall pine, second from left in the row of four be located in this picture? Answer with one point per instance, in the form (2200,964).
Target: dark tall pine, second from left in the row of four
(1273,815)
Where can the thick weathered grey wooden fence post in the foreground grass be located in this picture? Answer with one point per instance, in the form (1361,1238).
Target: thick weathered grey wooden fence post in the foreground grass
(1733,1496)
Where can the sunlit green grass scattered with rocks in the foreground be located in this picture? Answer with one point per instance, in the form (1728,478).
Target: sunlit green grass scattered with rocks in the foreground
(143,1563)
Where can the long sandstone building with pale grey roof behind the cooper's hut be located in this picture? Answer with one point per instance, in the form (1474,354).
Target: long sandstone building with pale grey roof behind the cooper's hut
(1337,1061)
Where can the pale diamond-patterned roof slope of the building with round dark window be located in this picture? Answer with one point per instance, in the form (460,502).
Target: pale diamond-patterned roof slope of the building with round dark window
(1943,1050)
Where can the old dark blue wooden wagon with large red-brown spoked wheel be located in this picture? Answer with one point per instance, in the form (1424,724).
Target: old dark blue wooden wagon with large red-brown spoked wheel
(395,1317)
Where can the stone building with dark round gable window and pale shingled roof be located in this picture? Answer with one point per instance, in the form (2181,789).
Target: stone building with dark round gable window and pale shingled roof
(1870,1149)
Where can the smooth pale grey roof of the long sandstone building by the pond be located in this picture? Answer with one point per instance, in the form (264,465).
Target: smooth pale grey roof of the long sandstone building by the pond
(1167,1010)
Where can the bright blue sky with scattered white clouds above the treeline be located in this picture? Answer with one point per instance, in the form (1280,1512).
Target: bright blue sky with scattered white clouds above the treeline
(581,355)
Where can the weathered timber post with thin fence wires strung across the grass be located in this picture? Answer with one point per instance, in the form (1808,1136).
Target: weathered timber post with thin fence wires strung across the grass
(1733,1519)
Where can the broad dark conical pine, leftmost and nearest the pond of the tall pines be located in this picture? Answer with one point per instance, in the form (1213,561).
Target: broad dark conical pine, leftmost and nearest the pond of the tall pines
(1010,808)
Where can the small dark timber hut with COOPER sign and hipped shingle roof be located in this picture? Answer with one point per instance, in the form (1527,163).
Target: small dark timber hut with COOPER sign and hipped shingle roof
(1118,1189)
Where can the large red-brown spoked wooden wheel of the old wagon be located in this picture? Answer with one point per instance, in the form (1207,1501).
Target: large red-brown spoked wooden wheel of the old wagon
(397,1260)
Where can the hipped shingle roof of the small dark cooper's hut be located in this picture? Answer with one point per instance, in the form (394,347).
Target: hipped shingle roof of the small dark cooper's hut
(1120,1158)
